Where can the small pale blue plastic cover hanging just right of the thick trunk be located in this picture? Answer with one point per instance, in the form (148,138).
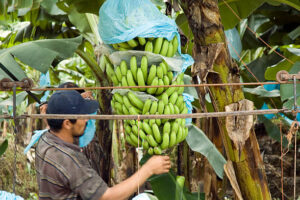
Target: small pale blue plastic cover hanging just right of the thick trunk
(235,44)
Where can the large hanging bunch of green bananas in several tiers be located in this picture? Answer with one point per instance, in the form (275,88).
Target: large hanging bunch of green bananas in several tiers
(154,135)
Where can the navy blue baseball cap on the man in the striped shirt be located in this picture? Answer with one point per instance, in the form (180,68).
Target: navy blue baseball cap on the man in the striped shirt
(70,102)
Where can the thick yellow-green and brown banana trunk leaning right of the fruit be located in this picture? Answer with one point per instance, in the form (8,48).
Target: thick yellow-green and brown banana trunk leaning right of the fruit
(214,65)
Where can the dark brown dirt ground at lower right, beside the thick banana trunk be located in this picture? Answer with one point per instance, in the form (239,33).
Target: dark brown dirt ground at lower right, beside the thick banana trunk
(271,152)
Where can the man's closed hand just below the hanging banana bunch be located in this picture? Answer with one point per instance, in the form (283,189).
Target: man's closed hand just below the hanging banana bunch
(158,164)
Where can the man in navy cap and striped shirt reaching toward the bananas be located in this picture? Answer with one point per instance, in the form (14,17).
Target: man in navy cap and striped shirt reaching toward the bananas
(63,171)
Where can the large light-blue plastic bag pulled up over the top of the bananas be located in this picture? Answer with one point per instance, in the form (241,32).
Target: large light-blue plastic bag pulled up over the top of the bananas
(123,20)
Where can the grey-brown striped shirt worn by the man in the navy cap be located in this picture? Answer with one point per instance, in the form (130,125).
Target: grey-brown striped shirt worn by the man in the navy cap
(63,171)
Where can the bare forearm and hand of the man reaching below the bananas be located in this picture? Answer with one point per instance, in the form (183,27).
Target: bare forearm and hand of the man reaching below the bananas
(155,165)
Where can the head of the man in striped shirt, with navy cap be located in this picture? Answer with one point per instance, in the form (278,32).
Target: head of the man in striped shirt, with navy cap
(69,102)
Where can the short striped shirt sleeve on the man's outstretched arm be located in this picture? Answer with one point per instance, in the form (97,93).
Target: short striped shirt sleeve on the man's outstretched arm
(85,181)
